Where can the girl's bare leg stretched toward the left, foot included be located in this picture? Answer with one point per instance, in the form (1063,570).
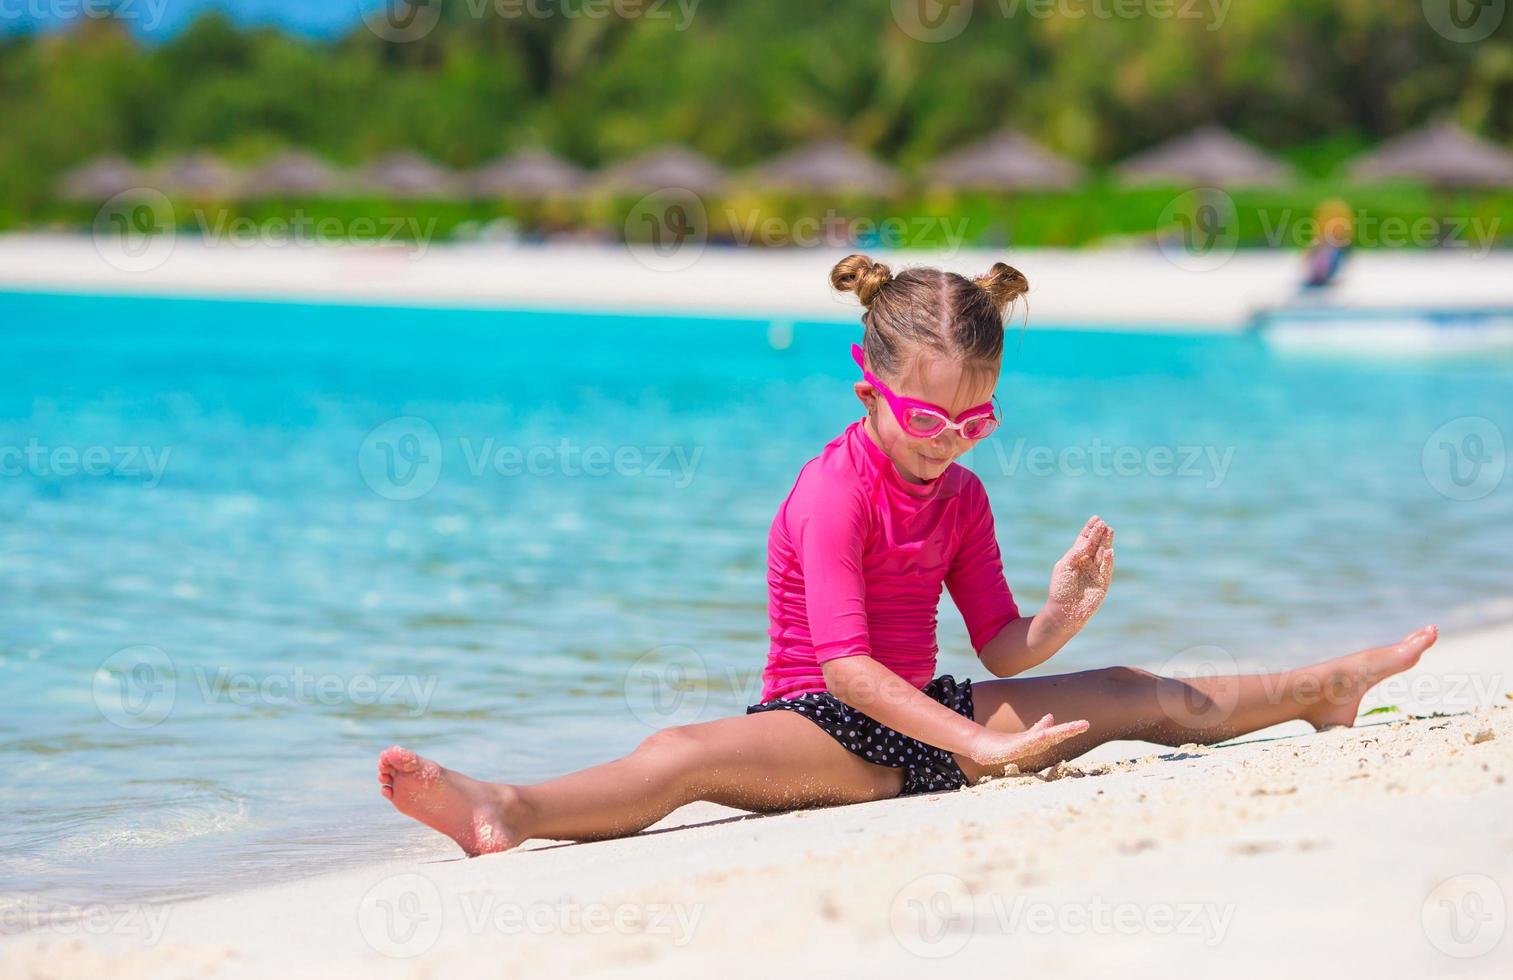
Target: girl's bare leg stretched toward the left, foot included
(766,761)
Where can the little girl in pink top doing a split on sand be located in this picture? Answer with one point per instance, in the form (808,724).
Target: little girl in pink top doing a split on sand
(857,557)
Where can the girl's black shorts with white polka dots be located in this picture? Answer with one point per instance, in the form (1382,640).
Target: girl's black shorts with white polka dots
(927,769)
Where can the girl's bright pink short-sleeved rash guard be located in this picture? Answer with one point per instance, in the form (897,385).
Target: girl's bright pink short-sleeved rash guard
(856,562)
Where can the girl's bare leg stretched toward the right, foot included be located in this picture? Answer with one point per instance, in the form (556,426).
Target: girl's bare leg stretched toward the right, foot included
(1123,702)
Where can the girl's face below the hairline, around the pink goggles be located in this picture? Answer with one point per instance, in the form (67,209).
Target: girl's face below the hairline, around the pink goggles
(939,380)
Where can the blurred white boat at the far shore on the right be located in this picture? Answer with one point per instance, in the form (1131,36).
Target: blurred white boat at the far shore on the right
(1390,332)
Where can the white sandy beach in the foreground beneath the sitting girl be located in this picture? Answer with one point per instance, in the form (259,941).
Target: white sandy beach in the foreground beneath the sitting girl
(1381,851)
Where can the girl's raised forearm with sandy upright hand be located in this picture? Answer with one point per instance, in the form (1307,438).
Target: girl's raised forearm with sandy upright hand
(1078,586)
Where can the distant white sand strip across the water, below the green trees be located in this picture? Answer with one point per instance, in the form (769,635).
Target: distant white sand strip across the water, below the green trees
(1117,290)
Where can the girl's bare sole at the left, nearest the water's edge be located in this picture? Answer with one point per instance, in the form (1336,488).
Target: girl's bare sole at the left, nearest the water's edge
(470,811)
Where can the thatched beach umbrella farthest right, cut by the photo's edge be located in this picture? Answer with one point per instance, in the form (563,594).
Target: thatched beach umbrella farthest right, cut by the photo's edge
(1441,155)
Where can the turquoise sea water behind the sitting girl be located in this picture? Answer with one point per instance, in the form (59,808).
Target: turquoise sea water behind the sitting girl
(246,547)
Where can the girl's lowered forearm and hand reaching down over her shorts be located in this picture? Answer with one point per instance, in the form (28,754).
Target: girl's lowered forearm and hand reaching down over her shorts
(884,696)
